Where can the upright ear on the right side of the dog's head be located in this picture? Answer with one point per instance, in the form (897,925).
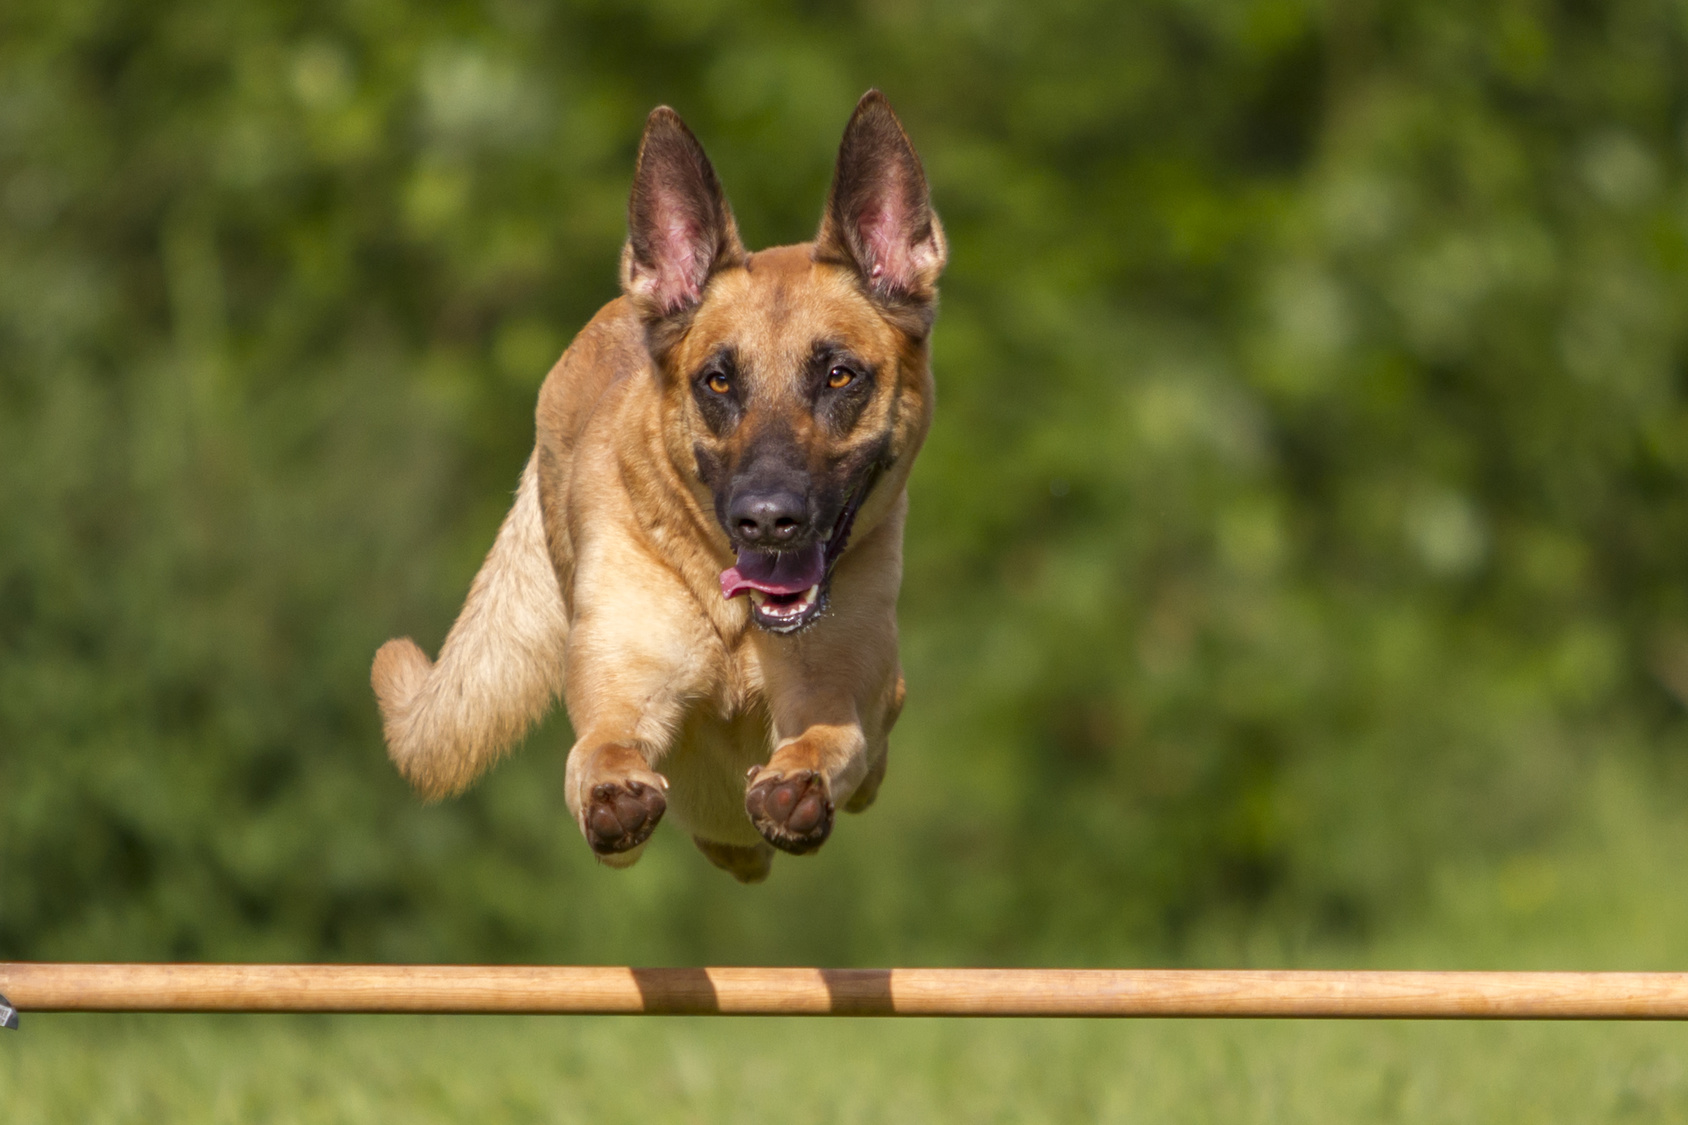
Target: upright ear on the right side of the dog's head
(880,215)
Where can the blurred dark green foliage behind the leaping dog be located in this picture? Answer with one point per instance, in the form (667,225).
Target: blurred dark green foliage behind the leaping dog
(1304,519)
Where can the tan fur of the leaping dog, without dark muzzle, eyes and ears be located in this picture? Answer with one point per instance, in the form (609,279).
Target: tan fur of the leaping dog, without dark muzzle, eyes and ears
(605,579)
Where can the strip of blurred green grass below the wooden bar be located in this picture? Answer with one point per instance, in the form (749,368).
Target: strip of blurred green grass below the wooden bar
(418,1070)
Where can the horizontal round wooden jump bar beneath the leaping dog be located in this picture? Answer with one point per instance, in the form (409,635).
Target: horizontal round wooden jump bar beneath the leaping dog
(609,991)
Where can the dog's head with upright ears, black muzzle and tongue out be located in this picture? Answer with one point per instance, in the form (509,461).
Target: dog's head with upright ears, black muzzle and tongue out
(796,381)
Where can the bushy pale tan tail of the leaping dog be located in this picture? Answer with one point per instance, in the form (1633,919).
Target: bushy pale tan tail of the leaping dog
(499,670)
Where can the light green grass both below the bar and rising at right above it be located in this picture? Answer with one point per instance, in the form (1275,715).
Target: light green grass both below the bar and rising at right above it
(1608,896)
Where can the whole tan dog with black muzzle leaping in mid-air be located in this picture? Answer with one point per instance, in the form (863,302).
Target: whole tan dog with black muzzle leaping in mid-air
(706,545)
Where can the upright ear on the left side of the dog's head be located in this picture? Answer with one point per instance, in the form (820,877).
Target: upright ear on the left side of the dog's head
(681,229)
